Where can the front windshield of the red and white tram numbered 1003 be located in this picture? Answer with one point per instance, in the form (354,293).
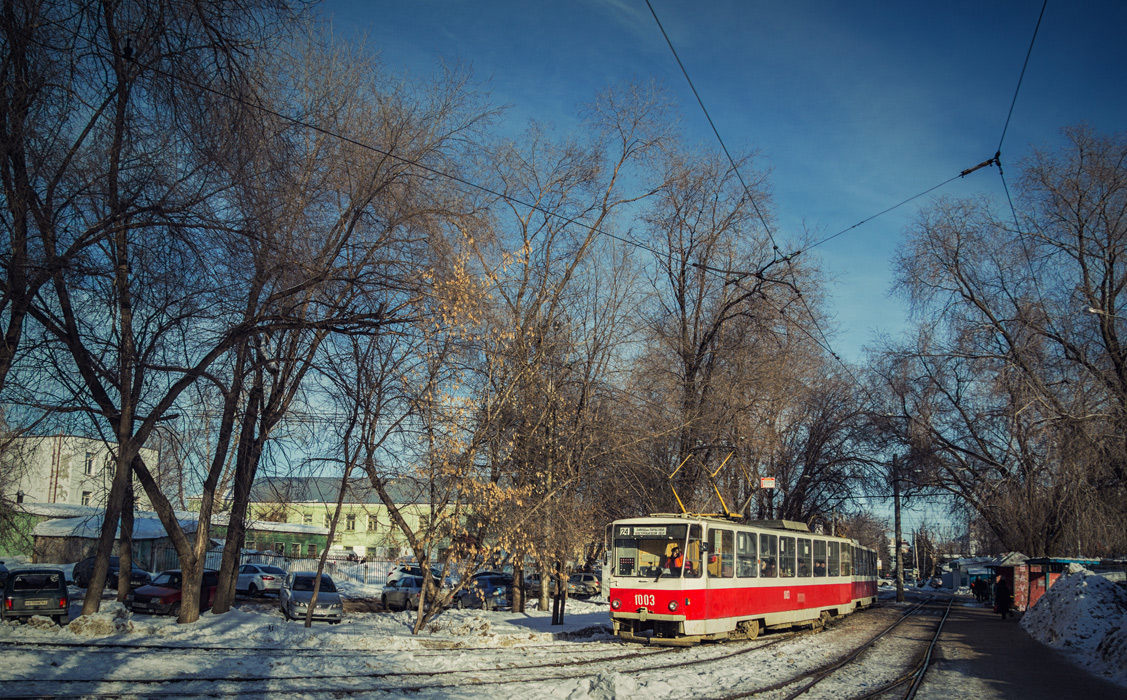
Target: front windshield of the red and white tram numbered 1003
(650,551)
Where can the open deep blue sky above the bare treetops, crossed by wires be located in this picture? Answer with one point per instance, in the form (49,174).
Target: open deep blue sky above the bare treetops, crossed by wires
(855,107)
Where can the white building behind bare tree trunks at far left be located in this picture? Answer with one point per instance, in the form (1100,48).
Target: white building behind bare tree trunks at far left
(63,469)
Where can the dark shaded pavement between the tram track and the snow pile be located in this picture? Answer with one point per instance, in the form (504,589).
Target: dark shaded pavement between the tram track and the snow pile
(983,658)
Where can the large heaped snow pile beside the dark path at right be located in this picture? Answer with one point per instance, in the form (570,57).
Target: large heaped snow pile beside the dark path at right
(1085,616)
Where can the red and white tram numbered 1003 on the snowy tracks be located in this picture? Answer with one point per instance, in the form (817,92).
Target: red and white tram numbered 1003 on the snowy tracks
(687,579)
